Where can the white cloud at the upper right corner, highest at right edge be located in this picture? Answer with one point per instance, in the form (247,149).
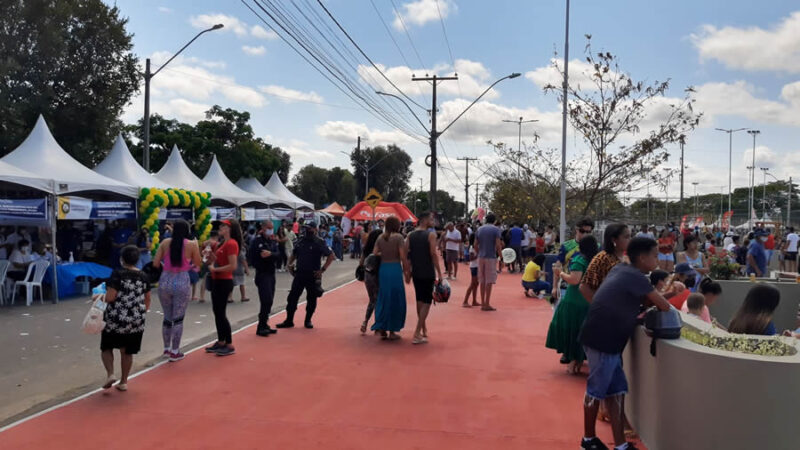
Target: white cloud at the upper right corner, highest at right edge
(753,48)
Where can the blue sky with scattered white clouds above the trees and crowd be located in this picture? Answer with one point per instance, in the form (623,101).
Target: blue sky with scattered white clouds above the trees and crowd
(744,60)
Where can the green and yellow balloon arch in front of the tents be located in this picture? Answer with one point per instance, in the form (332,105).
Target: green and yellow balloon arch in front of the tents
(151,200)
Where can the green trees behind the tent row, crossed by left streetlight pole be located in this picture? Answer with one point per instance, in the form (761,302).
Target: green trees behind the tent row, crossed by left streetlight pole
(225,132)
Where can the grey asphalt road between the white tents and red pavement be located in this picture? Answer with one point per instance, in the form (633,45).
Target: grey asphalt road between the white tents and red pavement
(46,358)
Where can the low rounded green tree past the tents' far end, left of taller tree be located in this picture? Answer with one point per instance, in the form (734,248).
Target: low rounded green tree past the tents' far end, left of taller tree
(324,186)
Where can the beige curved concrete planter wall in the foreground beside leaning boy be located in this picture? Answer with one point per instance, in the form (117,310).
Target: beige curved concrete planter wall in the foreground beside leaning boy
(694,397)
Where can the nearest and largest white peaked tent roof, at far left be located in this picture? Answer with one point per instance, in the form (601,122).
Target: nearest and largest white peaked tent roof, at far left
(39,153)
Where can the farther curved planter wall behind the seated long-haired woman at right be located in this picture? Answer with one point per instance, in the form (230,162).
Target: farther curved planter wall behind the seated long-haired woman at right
(733,293)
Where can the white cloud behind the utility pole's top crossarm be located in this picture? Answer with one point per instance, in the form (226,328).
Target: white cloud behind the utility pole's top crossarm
(473,79)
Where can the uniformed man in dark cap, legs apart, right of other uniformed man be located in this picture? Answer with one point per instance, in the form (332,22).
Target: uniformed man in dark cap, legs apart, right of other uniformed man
(308,252)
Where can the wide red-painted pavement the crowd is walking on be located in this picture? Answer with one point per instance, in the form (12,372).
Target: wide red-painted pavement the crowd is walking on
(484,381)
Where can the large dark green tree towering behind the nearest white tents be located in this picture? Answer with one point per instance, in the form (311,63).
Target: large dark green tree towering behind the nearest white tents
(71,61)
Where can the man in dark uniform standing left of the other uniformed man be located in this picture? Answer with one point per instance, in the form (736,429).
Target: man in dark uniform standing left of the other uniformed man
(264,254)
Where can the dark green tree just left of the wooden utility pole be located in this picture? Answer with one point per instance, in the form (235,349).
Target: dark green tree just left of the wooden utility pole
(390,171)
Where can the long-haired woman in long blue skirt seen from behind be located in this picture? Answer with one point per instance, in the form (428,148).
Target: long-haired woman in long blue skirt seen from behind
(390,311)
